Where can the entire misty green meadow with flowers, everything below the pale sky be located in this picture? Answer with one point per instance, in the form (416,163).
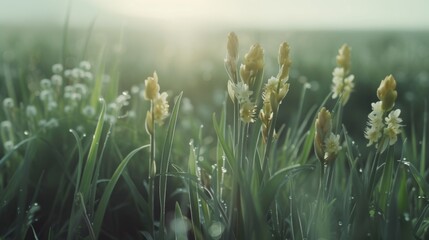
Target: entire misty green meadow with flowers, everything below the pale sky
(144,133)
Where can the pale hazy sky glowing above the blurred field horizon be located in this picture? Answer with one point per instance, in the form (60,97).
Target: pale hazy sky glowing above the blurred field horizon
(330,14)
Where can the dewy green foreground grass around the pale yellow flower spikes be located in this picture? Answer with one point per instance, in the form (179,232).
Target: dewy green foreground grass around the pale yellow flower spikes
(75,167)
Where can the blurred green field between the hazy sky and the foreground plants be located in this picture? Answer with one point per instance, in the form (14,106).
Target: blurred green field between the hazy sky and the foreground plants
(192,60)
